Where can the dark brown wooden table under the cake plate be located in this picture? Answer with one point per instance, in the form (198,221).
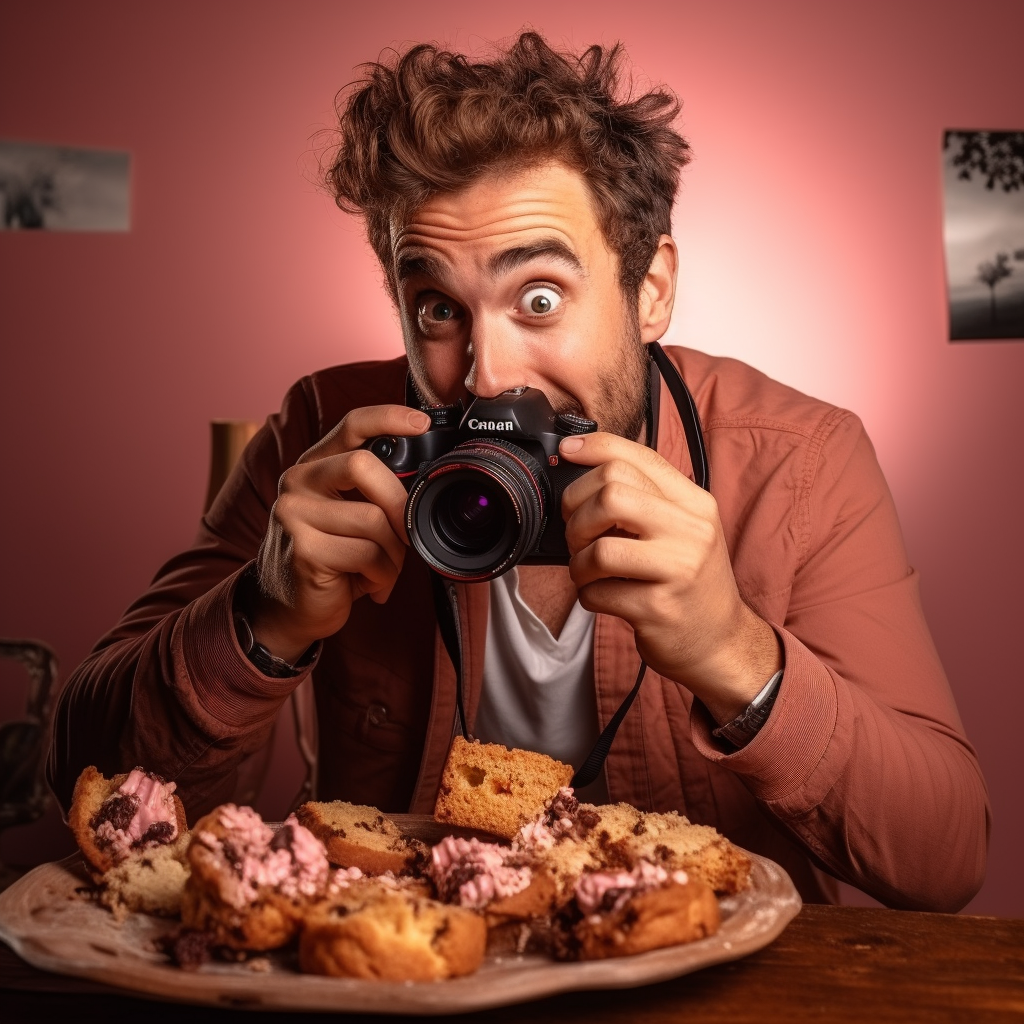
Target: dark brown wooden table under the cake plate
(833,965)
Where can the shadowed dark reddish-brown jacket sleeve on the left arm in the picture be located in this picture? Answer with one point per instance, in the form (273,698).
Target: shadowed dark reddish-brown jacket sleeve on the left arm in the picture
(168,688)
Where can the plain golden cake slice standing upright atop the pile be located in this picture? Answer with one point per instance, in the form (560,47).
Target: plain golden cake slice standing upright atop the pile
(491,788)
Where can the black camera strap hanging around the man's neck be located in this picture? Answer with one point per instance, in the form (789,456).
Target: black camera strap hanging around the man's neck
(447,599)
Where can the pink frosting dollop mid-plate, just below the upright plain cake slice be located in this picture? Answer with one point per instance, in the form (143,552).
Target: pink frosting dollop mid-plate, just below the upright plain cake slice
(475,874)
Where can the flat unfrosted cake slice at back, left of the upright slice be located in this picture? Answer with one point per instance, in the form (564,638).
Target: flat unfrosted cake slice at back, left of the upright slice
(361,837)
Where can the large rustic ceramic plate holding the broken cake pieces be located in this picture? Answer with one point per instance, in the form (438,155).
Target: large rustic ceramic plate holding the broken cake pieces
(46,919)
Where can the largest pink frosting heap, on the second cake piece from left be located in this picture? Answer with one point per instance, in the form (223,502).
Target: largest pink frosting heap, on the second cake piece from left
(292,862)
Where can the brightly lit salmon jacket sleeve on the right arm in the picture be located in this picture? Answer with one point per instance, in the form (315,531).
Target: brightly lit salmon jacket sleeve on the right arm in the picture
(864,759)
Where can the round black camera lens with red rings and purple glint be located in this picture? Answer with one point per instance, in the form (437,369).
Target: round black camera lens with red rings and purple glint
(476,513)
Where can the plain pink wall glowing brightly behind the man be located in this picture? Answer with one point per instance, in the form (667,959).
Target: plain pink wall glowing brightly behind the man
(809,225)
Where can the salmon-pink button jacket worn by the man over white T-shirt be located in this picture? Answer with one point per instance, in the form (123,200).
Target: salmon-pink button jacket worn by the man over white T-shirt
(863,773)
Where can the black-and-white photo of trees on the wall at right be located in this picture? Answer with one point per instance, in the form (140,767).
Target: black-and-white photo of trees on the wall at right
(984,174)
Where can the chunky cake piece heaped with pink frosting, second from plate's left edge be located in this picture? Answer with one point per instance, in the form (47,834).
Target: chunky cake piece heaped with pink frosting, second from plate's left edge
(250,886)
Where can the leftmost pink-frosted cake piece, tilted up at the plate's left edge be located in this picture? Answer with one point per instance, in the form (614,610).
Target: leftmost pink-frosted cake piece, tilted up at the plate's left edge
(114,819)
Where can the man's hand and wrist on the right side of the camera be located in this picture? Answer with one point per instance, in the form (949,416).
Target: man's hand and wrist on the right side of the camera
(648,545)
